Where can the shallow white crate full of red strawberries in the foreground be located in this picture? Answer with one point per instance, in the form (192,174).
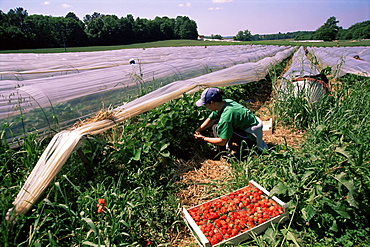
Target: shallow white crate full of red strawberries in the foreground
(233,217)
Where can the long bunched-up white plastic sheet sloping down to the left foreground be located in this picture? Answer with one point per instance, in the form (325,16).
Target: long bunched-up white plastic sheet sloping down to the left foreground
(61,146)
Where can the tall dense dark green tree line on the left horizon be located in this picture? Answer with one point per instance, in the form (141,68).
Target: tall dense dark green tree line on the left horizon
(18,30)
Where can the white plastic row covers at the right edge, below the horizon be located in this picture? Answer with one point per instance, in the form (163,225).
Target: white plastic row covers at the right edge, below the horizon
(341,60)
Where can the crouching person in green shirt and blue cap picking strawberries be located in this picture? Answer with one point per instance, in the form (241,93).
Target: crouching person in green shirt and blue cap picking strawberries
(231,123)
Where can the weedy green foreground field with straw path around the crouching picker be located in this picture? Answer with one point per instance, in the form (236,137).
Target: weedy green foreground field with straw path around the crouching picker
(318,164)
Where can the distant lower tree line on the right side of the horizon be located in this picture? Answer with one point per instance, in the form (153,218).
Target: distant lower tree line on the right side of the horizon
(329,31)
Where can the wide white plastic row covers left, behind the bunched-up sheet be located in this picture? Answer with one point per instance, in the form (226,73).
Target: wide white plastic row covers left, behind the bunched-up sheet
(40,92)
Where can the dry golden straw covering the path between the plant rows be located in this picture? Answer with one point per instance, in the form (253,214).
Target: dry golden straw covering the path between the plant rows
(201,176)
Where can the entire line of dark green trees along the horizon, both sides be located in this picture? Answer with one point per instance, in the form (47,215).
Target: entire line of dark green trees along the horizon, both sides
(18,30)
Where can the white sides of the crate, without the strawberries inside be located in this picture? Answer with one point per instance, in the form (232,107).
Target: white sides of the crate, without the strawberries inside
(204,242)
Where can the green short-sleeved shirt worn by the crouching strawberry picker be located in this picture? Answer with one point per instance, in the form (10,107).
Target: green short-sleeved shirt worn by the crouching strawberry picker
(232,116)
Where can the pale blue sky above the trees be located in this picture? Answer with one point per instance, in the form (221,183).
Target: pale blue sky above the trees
(225,17)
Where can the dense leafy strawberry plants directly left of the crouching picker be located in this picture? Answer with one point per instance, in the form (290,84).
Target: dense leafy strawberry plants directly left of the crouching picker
(169,129)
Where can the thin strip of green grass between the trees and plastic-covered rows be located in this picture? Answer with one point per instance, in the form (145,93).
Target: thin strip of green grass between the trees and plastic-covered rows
(177,43)
